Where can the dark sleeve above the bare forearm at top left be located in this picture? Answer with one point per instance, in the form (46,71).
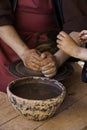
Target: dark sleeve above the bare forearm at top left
(6,13)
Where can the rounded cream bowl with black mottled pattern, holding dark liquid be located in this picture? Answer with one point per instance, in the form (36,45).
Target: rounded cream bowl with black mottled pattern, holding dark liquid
(36,98)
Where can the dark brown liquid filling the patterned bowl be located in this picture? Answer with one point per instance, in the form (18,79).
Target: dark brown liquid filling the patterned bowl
(36,91)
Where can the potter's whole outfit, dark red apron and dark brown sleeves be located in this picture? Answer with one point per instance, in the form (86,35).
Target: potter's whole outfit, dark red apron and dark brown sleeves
(40,18)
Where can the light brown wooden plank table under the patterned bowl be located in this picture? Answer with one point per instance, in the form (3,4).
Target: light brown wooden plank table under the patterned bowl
(72,115)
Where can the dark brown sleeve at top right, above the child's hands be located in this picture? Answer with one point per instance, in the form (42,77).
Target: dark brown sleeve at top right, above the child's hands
(75,15)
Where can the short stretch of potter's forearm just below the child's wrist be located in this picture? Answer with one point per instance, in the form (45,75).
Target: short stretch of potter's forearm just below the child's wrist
(61,57)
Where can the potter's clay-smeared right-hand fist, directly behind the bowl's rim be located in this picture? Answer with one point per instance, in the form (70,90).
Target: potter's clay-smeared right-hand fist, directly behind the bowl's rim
(48,64)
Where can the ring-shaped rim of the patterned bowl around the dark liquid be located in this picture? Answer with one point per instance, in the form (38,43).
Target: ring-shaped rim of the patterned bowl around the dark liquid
(58,83)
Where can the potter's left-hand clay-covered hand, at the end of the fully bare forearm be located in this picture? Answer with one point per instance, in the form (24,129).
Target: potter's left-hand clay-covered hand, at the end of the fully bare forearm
(31,59)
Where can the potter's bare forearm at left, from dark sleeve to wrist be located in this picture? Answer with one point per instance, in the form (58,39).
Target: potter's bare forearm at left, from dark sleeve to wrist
(9,35)
